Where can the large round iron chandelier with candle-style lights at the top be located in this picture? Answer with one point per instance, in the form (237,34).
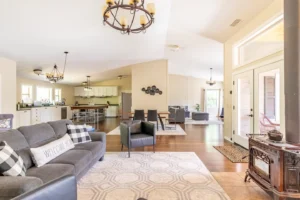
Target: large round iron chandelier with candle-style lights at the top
(115,12)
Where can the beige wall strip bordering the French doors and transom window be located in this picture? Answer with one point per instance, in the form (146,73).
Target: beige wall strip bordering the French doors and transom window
(271,11)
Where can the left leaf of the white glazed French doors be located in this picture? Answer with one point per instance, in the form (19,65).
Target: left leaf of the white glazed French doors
(243,107)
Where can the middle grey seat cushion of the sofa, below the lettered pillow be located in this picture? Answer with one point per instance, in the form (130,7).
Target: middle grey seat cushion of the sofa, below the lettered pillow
(50,172)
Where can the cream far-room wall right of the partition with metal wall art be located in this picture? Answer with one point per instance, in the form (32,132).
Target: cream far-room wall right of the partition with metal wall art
(188,91)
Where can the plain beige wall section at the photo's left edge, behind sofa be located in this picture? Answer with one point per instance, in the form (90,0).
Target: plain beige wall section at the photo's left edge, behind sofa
(8,86)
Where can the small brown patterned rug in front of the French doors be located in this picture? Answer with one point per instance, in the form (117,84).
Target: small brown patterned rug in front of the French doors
(234,153)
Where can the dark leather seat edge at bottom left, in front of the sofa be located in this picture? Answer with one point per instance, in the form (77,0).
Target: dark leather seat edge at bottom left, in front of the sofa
(64,188)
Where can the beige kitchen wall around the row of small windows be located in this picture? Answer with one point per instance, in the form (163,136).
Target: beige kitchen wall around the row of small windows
(67,91)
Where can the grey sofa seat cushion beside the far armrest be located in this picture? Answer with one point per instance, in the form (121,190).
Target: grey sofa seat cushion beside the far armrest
(79,158)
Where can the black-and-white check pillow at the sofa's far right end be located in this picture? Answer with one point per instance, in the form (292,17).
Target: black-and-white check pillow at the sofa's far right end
(78,134)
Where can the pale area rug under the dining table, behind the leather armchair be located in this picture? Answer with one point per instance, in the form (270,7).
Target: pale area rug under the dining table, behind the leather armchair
(168,131)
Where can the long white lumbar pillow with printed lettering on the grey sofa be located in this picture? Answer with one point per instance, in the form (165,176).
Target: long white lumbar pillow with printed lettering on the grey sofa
(43,154)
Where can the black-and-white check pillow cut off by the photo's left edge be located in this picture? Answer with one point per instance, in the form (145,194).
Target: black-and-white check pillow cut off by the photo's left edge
(11,164)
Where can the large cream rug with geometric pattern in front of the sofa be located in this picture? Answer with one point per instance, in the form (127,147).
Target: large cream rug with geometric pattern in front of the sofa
(153,176)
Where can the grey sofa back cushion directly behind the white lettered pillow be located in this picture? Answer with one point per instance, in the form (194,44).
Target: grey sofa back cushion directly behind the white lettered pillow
(39,134)
